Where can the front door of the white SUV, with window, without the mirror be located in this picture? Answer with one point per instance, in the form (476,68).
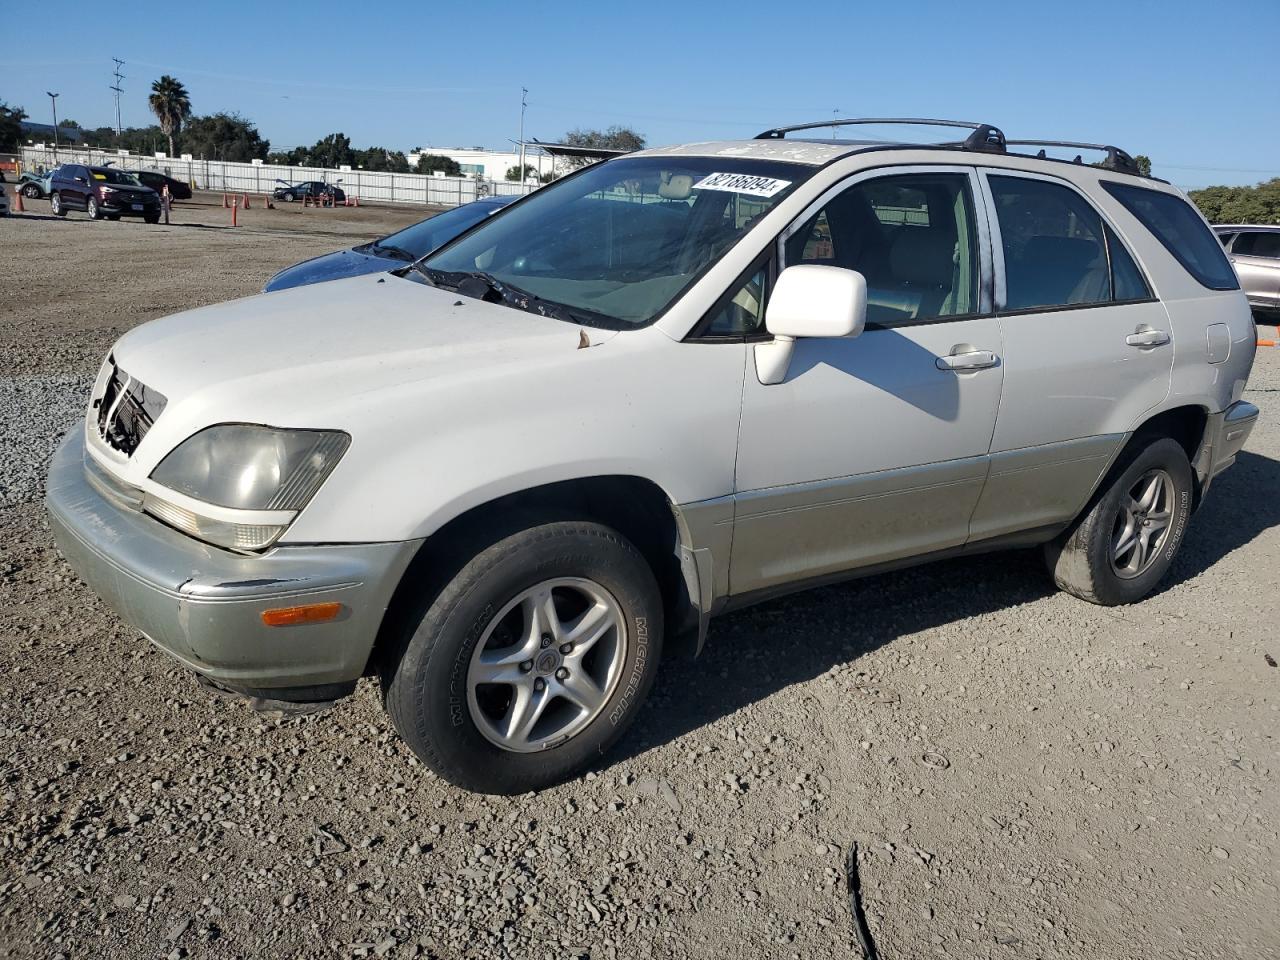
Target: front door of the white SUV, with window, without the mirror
(875,449)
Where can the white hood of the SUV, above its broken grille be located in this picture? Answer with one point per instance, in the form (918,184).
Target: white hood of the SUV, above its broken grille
(332,355)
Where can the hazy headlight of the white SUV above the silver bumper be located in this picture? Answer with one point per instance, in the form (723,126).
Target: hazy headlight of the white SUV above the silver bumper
(241,486)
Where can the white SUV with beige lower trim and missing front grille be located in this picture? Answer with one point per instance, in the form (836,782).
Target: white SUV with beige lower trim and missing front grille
(510,478)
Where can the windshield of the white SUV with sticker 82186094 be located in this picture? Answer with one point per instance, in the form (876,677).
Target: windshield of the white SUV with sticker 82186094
(625,239)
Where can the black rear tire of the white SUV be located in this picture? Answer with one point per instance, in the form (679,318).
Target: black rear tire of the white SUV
(1084,560)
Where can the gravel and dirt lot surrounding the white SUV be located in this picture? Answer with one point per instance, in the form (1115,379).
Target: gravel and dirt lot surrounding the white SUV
(1026,775)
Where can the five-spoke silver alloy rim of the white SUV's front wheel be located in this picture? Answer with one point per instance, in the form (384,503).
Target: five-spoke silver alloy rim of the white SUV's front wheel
(547,665)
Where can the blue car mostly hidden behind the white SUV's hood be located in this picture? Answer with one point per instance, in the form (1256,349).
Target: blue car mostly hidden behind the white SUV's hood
(387,254)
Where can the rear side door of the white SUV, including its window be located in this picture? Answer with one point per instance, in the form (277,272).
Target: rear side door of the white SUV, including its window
(1089,350)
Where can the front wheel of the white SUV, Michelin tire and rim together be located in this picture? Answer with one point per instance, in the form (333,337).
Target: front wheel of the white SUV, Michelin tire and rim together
(532,662)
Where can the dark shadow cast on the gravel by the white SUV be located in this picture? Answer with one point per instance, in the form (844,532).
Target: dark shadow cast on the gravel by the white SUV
(761,651)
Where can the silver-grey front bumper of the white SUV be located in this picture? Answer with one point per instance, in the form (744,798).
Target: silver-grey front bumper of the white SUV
(203,606)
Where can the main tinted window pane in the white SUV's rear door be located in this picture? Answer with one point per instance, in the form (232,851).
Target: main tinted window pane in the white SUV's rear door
(1055,252)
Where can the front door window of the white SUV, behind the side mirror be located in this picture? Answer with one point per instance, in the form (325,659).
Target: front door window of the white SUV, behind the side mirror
(912,237)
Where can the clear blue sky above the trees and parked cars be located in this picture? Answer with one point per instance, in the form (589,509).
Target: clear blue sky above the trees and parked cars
(1187,84)
